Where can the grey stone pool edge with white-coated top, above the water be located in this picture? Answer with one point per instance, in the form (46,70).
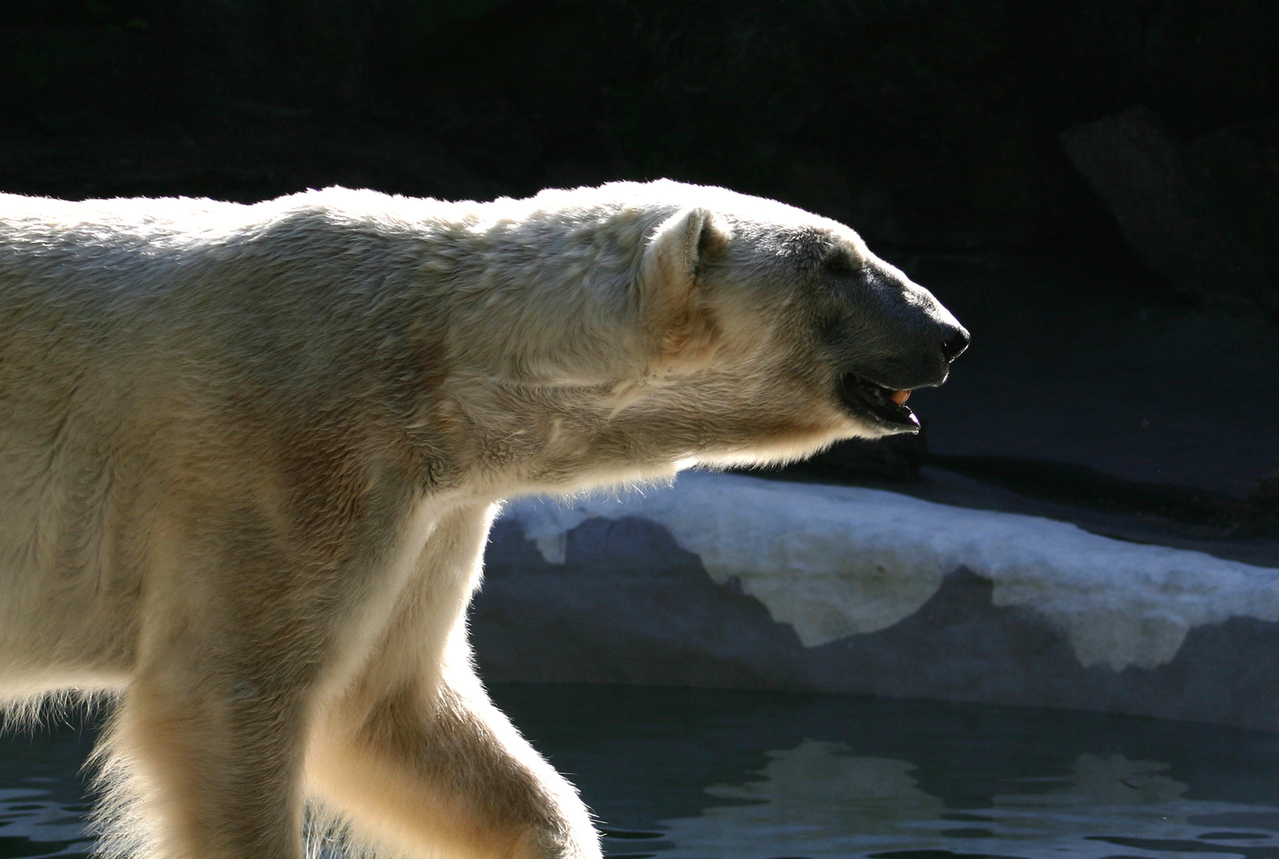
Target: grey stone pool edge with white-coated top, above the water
(734,581)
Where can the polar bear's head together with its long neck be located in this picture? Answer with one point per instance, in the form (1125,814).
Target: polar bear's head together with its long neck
(632,330)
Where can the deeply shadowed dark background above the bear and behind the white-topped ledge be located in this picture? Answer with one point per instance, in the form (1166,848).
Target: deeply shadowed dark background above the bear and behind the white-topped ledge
(1093,186)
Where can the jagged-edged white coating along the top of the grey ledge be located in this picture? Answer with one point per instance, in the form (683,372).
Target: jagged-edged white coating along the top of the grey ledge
(836,562)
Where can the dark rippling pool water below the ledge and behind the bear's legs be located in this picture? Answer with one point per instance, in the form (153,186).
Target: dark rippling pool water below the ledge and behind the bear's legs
(709,775)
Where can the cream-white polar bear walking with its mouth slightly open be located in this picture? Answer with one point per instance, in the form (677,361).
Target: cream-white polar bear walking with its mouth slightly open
(250,457)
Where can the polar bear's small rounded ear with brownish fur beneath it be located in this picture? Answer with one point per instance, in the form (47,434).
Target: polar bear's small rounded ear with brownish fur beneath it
(670,301)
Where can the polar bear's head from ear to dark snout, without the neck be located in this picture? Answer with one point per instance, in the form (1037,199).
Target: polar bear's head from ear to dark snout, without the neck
(794,313)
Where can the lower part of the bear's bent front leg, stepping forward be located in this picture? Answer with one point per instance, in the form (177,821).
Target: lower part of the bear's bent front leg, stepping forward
(443,773)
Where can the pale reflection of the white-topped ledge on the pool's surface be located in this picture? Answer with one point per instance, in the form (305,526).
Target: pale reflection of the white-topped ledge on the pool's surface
(818,801)
